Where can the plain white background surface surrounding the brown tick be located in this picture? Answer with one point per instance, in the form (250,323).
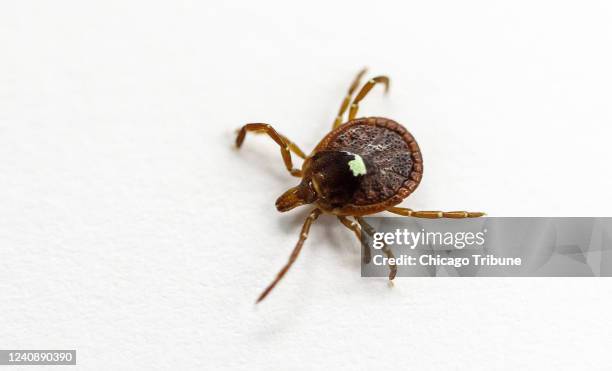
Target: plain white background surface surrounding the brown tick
(132,231)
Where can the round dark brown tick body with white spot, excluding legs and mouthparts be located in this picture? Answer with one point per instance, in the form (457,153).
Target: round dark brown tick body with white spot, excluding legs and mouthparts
(388,162)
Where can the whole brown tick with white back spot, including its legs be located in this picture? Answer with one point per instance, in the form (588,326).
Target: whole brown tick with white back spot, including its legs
(361,167)
